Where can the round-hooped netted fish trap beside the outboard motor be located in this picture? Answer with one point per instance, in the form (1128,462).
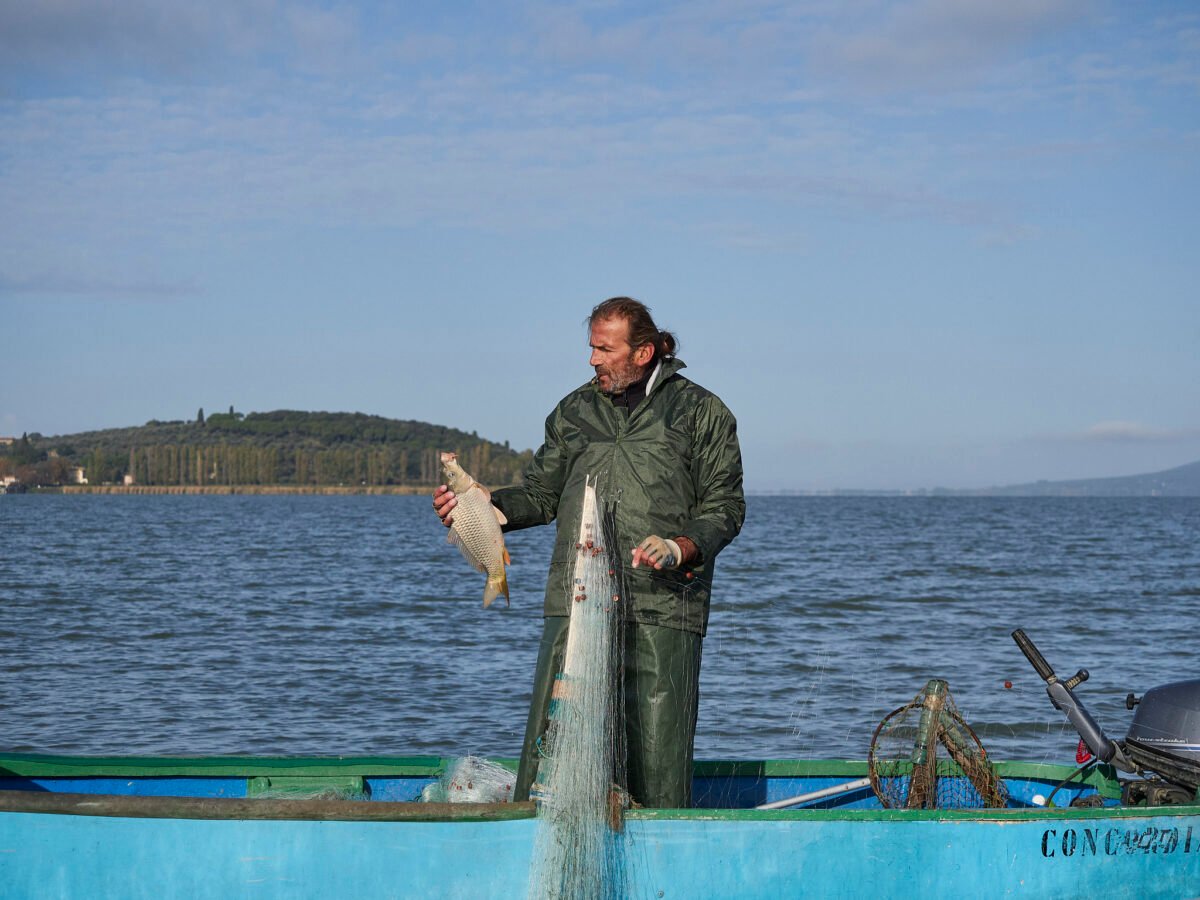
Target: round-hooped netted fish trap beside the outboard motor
(904,765)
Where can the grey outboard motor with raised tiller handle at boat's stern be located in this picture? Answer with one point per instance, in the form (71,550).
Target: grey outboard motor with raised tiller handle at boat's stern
(1163,740)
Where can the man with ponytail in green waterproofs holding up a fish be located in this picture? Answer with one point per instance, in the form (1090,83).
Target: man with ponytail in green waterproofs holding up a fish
(668,453)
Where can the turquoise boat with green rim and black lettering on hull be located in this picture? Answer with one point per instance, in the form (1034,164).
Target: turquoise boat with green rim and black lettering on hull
(76,827)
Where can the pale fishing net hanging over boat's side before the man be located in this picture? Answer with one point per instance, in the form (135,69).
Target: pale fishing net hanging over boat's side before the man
(578,851)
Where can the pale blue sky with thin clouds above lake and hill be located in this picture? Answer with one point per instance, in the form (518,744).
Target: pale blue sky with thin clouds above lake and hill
(940,243)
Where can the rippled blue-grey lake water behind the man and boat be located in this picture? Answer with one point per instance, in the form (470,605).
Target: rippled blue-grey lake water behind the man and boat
(346,626)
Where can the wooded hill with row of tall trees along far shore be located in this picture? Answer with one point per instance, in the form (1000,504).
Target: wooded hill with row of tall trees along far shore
(279,448)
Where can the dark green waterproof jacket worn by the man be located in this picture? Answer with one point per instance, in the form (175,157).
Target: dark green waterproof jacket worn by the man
(674,467)
